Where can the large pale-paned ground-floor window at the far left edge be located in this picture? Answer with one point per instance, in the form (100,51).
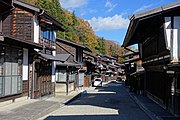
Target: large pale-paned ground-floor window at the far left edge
(10,70)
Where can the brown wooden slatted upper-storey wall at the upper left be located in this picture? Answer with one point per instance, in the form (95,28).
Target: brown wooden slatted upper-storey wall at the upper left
(19,25)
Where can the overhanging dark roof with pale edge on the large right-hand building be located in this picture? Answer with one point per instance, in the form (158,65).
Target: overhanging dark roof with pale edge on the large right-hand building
(138,18)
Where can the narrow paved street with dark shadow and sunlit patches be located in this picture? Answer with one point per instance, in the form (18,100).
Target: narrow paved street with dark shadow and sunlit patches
(111,102)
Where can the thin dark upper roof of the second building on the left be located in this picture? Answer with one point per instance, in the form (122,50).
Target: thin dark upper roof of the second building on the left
(73,44)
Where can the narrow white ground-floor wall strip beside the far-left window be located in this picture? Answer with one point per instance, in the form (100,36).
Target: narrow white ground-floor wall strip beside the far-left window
(25,65)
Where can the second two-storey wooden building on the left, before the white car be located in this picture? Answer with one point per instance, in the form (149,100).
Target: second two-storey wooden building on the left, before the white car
(71,73)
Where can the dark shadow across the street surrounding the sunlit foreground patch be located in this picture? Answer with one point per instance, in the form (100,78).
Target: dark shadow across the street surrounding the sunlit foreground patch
(111,96)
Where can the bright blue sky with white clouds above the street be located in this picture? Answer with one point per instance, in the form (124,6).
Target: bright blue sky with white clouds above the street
(109,18)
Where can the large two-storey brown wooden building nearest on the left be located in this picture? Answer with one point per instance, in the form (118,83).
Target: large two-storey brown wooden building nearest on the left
(26,50)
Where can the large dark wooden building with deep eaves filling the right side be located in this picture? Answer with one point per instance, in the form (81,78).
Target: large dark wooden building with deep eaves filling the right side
(157,34)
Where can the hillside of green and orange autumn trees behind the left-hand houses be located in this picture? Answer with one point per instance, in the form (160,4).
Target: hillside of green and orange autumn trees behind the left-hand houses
(77,29)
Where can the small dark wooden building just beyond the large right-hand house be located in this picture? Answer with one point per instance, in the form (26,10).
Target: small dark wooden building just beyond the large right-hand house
(134,72)
